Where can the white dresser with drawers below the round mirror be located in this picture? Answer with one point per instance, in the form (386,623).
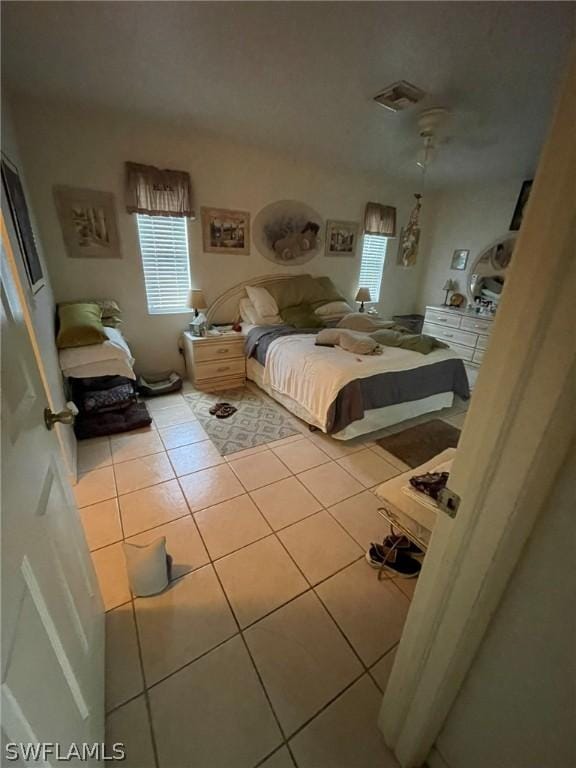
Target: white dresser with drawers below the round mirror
(466,332)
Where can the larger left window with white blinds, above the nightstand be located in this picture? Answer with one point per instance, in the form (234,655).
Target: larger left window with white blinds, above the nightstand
(164,250)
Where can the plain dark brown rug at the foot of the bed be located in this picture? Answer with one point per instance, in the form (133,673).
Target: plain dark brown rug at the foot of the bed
(416,445)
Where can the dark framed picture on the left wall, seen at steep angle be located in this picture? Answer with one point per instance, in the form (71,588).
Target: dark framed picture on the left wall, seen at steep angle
(22,224)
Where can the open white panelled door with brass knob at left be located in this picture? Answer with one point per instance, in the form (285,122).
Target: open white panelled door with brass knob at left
(52,658)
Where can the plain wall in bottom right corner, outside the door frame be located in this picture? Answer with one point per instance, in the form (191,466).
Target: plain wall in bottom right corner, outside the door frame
(516,707)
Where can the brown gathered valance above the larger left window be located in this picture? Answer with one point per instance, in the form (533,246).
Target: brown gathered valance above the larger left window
(158,192)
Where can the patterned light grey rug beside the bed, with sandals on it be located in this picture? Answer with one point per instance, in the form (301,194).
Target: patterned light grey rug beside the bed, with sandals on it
(256,421)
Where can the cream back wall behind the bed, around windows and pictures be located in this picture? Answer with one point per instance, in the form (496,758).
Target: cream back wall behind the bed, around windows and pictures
(89,150)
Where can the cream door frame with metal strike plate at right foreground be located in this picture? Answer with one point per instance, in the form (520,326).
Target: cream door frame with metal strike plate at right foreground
(517,433)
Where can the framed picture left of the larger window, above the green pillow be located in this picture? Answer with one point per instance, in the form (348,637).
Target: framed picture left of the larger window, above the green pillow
(88,221)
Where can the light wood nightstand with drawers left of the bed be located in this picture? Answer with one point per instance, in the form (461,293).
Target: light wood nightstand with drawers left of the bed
(215,362)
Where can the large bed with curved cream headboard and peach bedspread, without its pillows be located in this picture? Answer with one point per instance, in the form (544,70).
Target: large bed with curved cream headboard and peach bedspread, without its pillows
(341,393)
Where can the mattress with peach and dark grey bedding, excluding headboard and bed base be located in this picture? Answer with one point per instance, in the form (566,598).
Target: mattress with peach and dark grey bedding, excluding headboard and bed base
(338,388)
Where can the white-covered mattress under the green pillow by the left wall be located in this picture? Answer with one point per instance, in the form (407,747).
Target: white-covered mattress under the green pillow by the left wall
(111,358)
